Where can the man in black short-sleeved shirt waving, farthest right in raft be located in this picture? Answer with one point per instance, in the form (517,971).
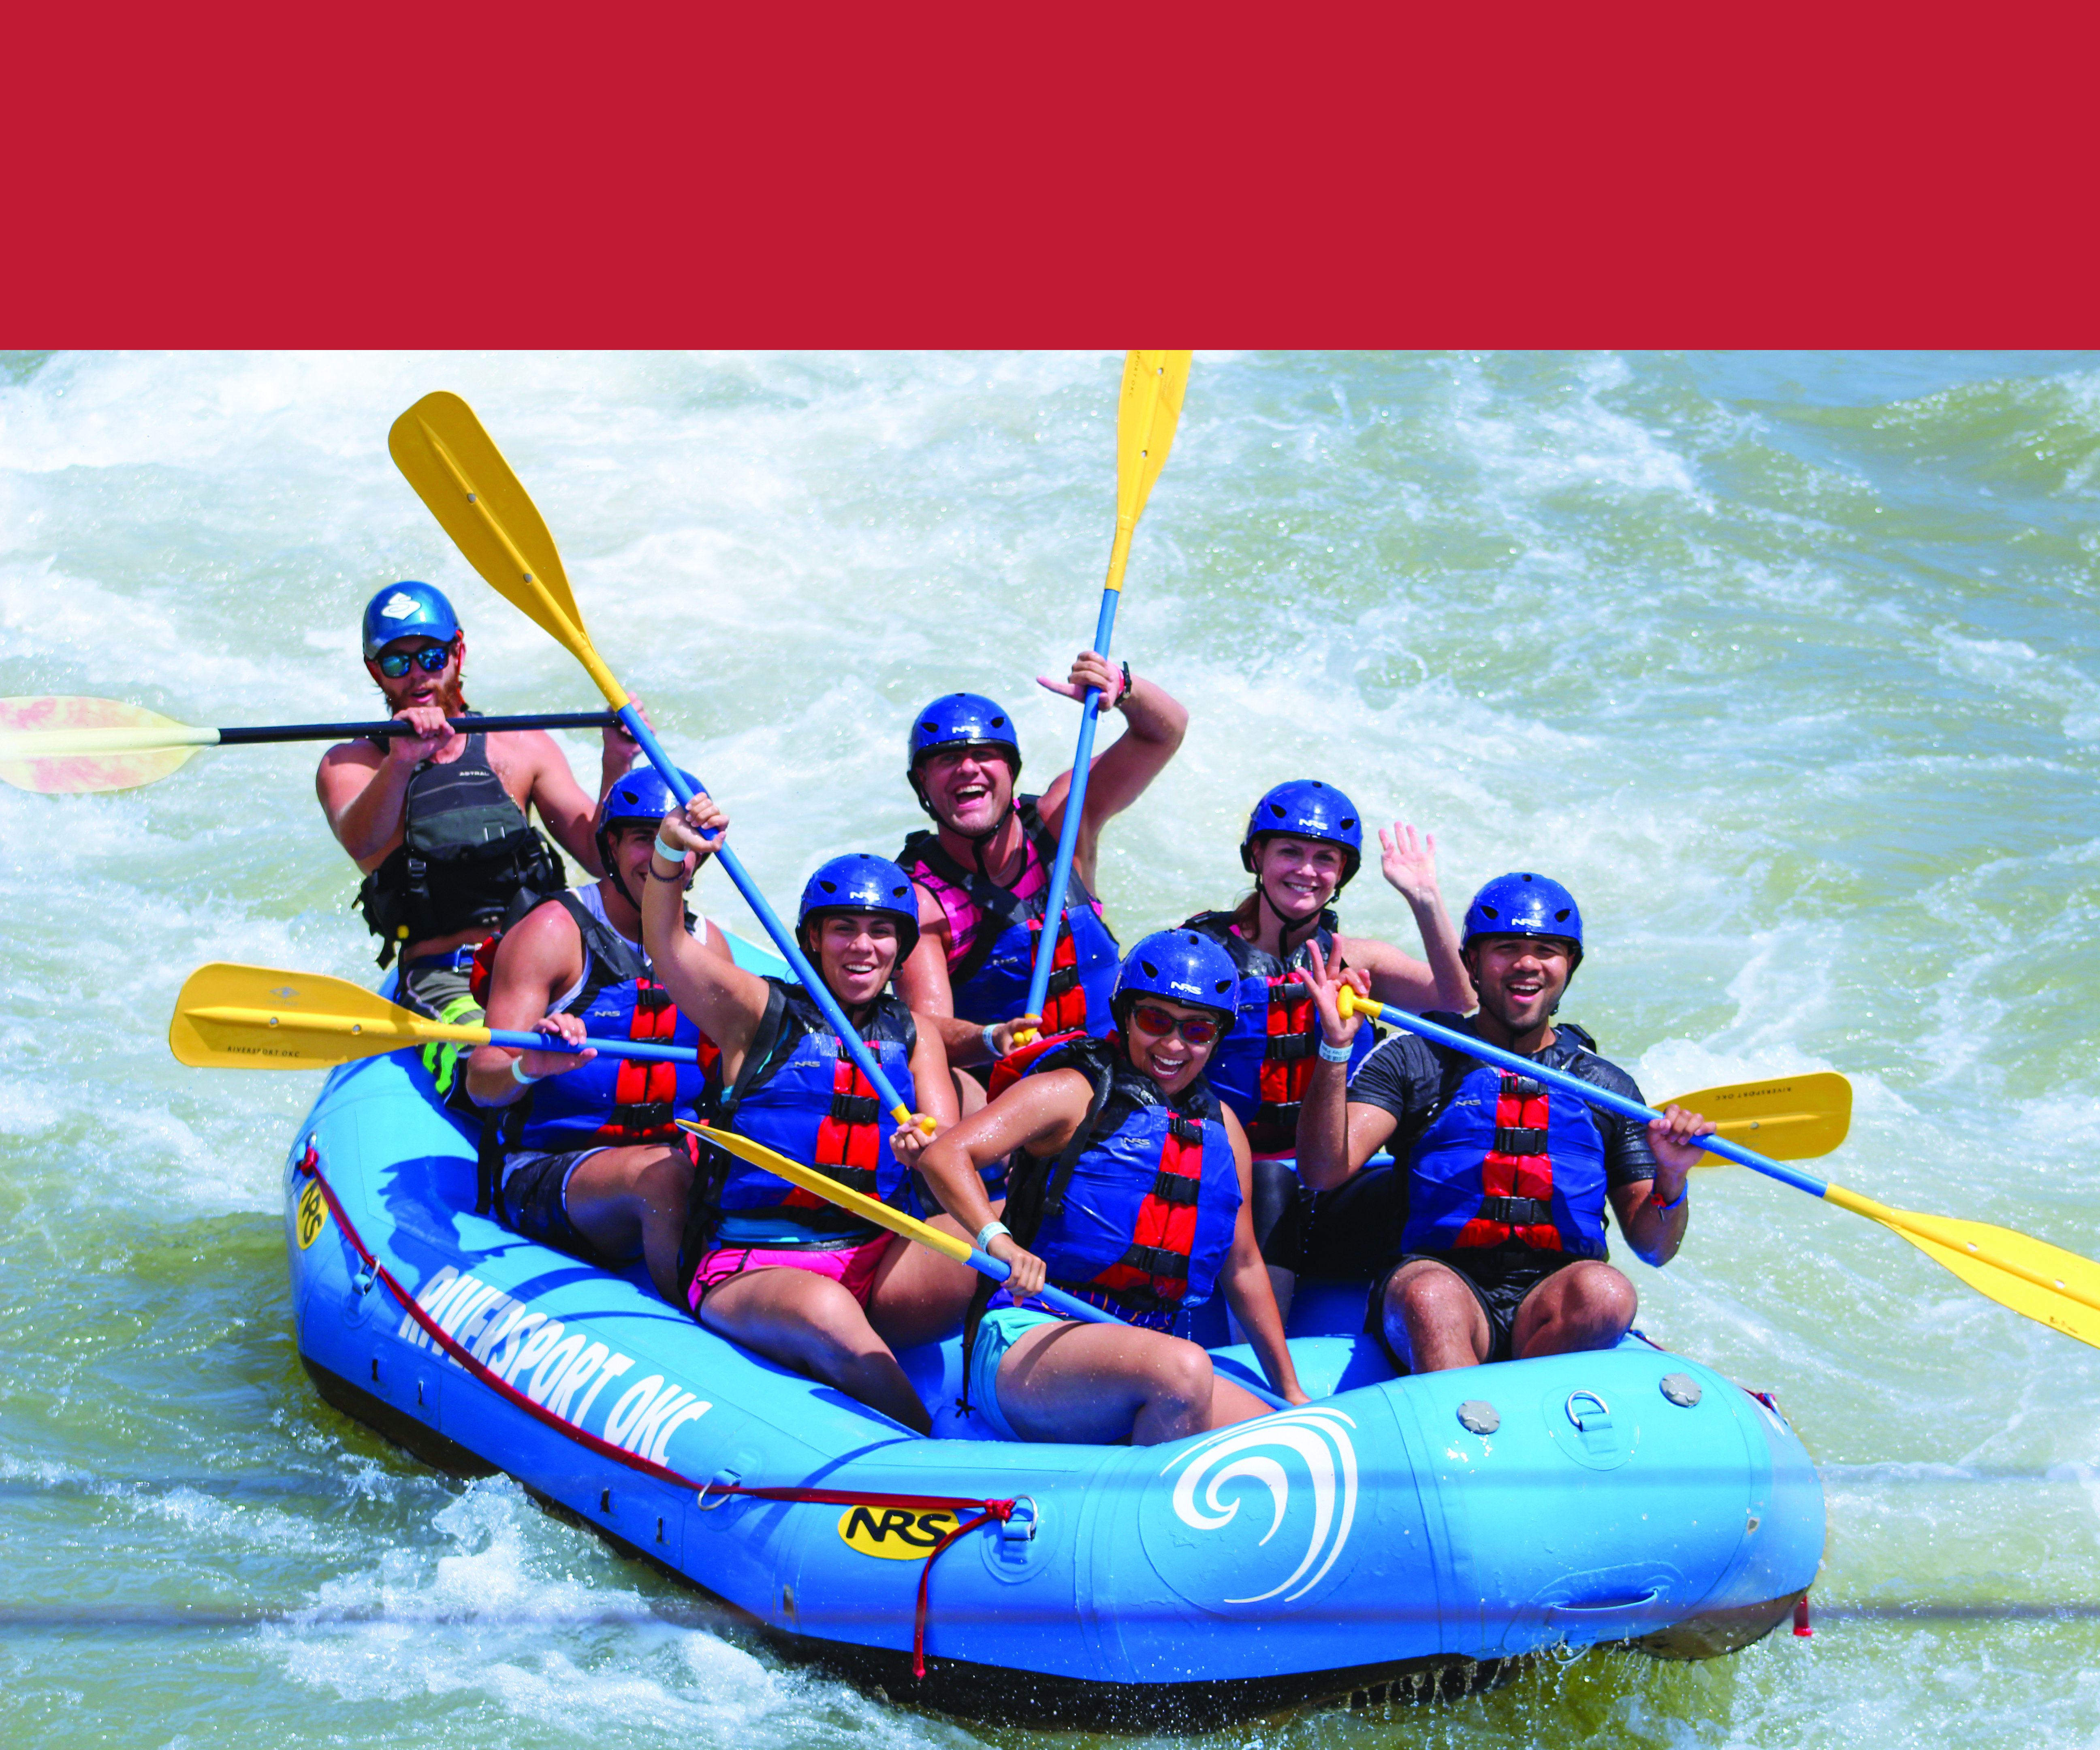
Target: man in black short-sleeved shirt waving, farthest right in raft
(1492,1224)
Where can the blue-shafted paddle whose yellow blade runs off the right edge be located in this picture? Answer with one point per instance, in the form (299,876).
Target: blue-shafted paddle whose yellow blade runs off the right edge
(2030,1276)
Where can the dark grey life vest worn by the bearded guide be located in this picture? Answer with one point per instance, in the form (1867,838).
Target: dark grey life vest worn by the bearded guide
(465,856)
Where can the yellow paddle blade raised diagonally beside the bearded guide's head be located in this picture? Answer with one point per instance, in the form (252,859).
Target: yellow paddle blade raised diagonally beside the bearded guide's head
(459,472)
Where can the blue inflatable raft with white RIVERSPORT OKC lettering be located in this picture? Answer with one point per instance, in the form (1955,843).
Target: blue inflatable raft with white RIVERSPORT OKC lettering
(1395,1539)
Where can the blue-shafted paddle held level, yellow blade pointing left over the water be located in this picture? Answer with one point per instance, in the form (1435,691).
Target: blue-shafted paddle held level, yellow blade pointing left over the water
(266,1018)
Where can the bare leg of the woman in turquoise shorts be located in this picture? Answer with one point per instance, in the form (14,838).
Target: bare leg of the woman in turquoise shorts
(1106,1383)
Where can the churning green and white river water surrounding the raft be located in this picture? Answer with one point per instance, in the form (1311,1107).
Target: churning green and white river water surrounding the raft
(1786,665)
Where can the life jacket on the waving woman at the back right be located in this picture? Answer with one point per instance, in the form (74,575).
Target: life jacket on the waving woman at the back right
(1265,1064)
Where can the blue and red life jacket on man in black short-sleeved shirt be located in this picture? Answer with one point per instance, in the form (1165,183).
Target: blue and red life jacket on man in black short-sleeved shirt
(1505,1161)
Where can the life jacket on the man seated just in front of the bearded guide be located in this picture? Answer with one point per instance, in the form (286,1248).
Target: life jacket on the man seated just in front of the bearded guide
(610,1102)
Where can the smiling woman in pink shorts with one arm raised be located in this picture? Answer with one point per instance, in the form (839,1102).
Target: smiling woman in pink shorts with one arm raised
(770,1266)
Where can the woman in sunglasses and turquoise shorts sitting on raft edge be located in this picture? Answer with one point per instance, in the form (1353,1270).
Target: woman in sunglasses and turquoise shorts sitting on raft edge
(1129,1188)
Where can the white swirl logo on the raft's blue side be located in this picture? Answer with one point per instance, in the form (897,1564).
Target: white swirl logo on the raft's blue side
(1307,1528)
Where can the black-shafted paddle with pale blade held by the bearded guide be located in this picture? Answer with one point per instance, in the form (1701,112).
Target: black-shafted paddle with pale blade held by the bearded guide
(77,747)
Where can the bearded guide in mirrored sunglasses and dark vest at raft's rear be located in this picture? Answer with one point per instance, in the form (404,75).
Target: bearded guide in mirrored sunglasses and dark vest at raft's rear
(440,822)
